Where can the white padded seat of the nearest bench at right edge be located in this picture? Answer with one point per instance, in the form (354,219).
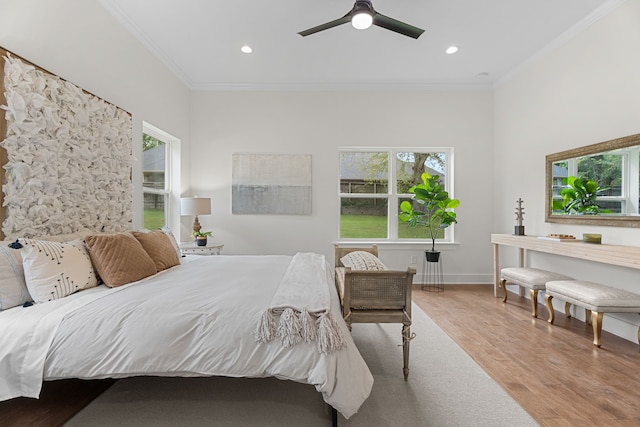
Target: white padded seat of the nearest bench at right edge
(595,296)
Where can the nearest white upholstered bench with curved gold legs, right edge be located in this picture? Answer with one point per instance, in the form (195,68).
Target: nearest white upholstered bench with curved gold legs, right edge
(596,299)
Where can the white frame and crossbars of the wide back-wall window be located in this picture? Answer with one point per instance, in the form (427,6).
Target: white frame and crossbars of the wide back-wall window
(393,197)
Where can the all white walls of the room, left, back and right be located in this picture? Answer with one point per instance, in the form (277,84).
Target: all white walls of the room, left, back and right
(584,92)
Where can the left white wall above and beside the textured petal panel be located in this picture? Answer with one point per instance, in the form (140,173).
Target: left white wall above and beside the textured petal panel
(82,43)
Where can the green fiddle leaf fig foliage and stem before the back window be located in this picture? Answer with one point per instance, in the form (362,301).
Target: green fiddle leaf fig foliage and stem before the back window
(434,207)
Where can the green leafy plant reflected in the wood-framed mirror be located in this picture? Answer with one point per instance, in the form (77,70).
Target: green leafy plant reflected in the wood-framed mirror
(580,197)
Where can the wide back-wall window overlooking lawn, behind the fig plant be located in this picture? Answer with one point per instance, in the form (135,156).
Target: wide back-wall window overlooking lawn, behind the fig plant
(373,183)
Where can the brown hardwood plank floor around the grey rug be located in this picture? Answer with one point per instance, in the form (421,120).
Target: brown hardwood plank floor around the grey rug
(553,371)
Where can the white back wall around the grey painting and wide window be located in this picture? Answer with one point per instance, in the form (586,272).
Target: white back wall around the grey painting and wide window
(317,123)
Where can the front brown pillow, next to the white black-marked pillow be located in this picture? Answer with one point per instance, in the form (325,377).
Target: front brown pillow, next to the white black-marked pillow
(119,258)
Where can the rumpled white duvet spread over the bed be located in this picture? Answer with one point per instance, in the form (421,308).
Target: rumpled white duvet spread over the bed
(195,319)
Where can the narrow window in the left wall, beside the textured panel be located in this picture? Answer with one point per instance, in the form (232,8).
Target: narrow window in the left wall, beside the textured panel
(156,176)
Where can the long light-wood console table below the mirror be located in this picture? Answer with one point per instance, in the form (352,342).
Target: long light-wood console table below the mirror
(623,256)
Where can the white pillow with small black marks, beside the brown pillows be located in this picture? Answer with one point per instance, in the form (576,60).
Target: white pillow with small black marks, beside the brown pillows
(54,270)
